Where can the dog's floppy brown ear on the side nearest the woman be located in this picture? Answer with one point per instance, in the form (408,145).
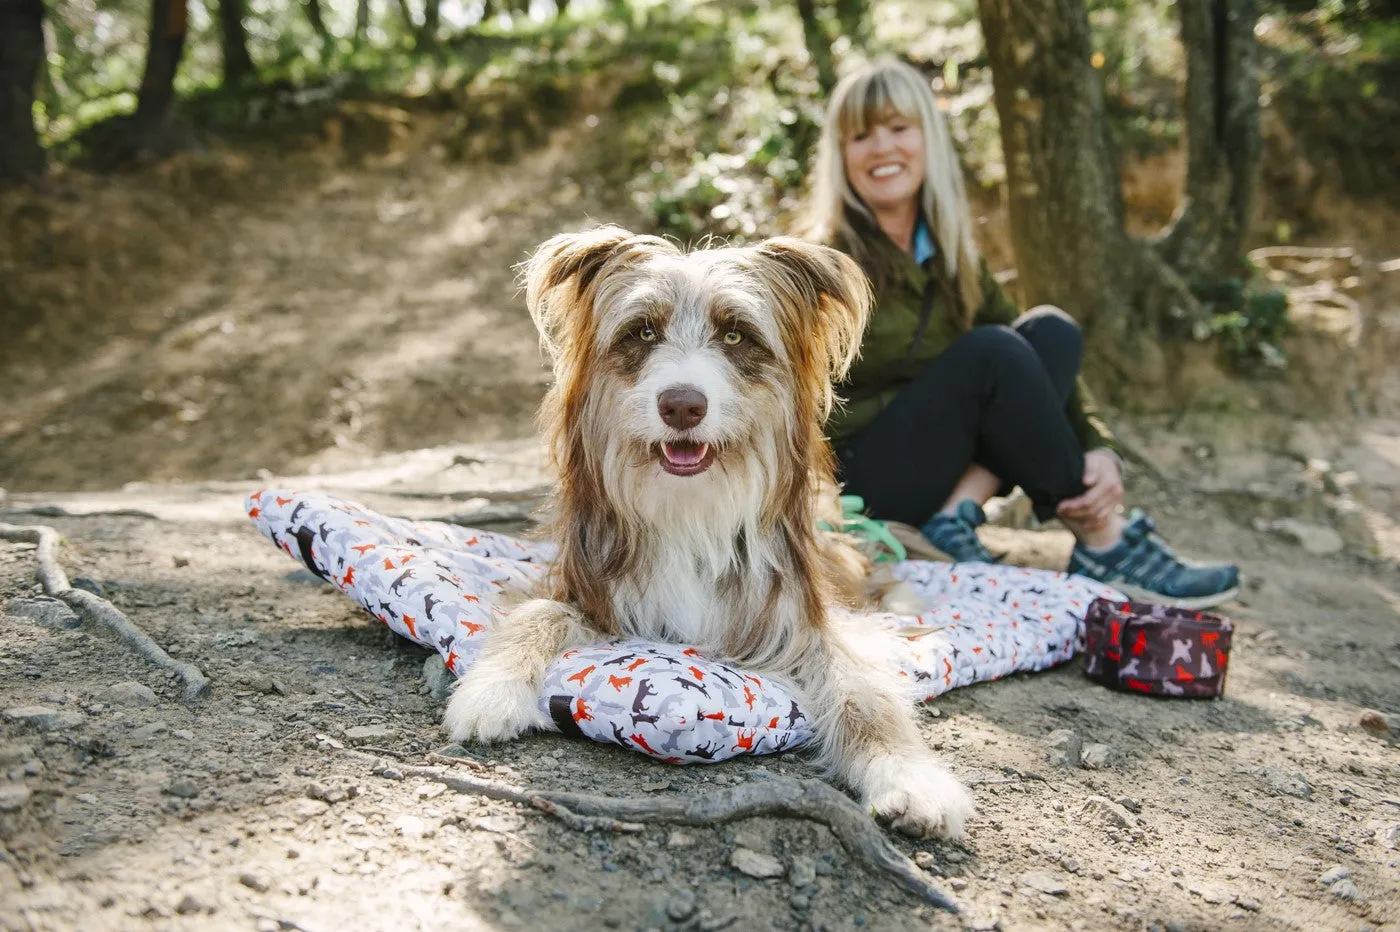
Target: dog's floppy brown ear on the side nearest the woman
(828,295)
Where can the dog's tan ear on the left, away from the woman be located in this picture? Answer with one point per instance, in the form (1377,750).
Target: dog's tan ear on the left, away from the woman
(562,276)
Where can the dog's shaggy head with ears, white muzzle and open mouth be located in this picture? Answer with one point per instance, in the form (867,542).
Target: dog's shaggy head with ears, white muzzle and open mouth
(678,373)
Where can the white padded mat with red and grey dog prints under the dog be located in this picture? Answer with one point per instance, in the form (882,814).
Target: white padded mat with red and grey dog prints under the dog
(442,586)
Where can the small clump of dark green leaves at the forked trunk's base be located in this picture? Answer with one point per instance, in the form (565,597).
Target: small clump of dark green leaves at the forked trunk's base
(1249,325)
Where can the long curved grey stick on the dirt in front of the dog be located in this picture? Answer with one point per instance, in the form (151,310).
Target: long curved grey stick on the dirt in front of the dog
(782,798)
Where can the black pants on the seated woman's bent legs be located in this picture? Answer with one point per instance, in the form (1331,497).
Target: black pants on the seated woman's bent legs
(997,398)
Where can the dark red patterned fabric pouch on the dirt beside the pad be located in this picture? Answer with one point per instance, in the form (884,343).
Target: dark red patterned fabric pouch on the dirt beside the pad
(1139,647)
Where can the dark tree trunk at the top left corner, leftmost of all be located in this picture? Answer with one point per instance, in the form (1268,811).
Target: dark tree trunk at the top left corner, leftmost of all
(22,55)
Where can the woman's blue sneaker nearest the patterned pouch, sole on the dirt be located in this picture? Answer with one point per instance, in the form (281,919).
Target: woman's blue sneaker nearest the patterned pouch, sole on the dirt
(1144,567)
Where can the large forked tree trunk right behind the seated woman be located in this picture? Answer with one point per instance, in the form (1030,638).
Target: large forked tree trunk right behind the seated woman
(1063,176)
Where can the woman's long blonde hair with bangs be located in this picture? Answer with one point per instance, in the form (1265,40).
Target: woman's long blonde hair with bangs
(867,97)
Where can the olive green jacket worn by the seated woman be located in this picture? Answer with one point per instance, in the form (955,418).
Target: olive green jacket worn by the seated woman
(894,351)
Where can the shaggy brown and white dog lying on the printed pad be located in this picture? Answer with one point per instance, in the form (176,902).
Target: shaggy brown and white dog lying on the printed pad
(685,422)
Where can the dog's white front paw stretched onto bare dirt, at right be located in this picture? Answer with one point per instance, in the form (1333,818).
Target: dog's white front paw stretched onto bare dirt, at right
(916,797)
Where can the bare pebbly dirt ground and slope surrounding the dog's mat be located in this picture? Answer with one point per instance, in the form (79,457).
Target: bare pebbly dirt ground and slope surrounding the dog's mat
(372,310)
